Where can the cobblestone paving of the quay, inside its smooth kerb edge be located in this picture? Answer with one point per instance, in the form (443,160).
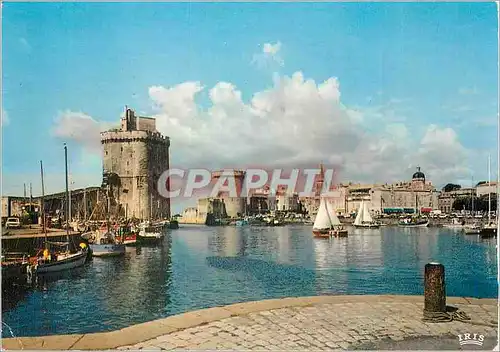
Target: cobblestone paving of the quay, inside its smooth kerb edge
(331,326)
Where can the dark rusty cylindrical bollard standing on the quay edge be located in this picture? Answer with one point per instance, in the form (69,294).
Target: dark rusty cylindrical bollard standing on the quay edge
(434,288)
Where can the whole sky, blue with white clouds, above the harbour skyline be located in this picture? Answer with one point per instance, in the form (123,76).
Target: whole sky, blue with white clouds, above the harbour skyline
(374,89)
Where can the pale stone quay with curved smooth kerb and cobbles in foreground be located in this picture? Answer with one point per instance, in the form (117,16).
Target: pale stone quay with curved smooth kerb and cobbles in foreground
(303,323)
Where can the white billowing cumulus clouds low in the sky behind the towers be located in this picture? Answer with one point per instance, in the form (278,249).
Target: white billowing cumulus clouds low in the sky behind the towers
(296,122)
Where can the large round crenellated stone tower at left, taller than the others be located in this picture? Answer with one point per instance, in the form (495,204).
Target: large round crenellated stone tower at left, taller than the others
(134,158)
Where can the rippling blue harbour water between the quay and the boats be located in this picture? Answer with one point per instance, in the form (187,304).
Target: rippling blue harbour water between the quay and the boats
(199,267)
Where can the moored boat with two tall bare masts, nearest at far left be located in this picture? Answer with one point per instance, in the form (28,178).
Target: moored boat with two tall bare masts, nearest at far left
(48,261)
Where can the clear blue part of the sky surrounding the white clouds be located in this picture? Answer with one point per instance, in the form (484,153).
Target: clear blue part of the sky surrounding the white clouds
(415,65)
